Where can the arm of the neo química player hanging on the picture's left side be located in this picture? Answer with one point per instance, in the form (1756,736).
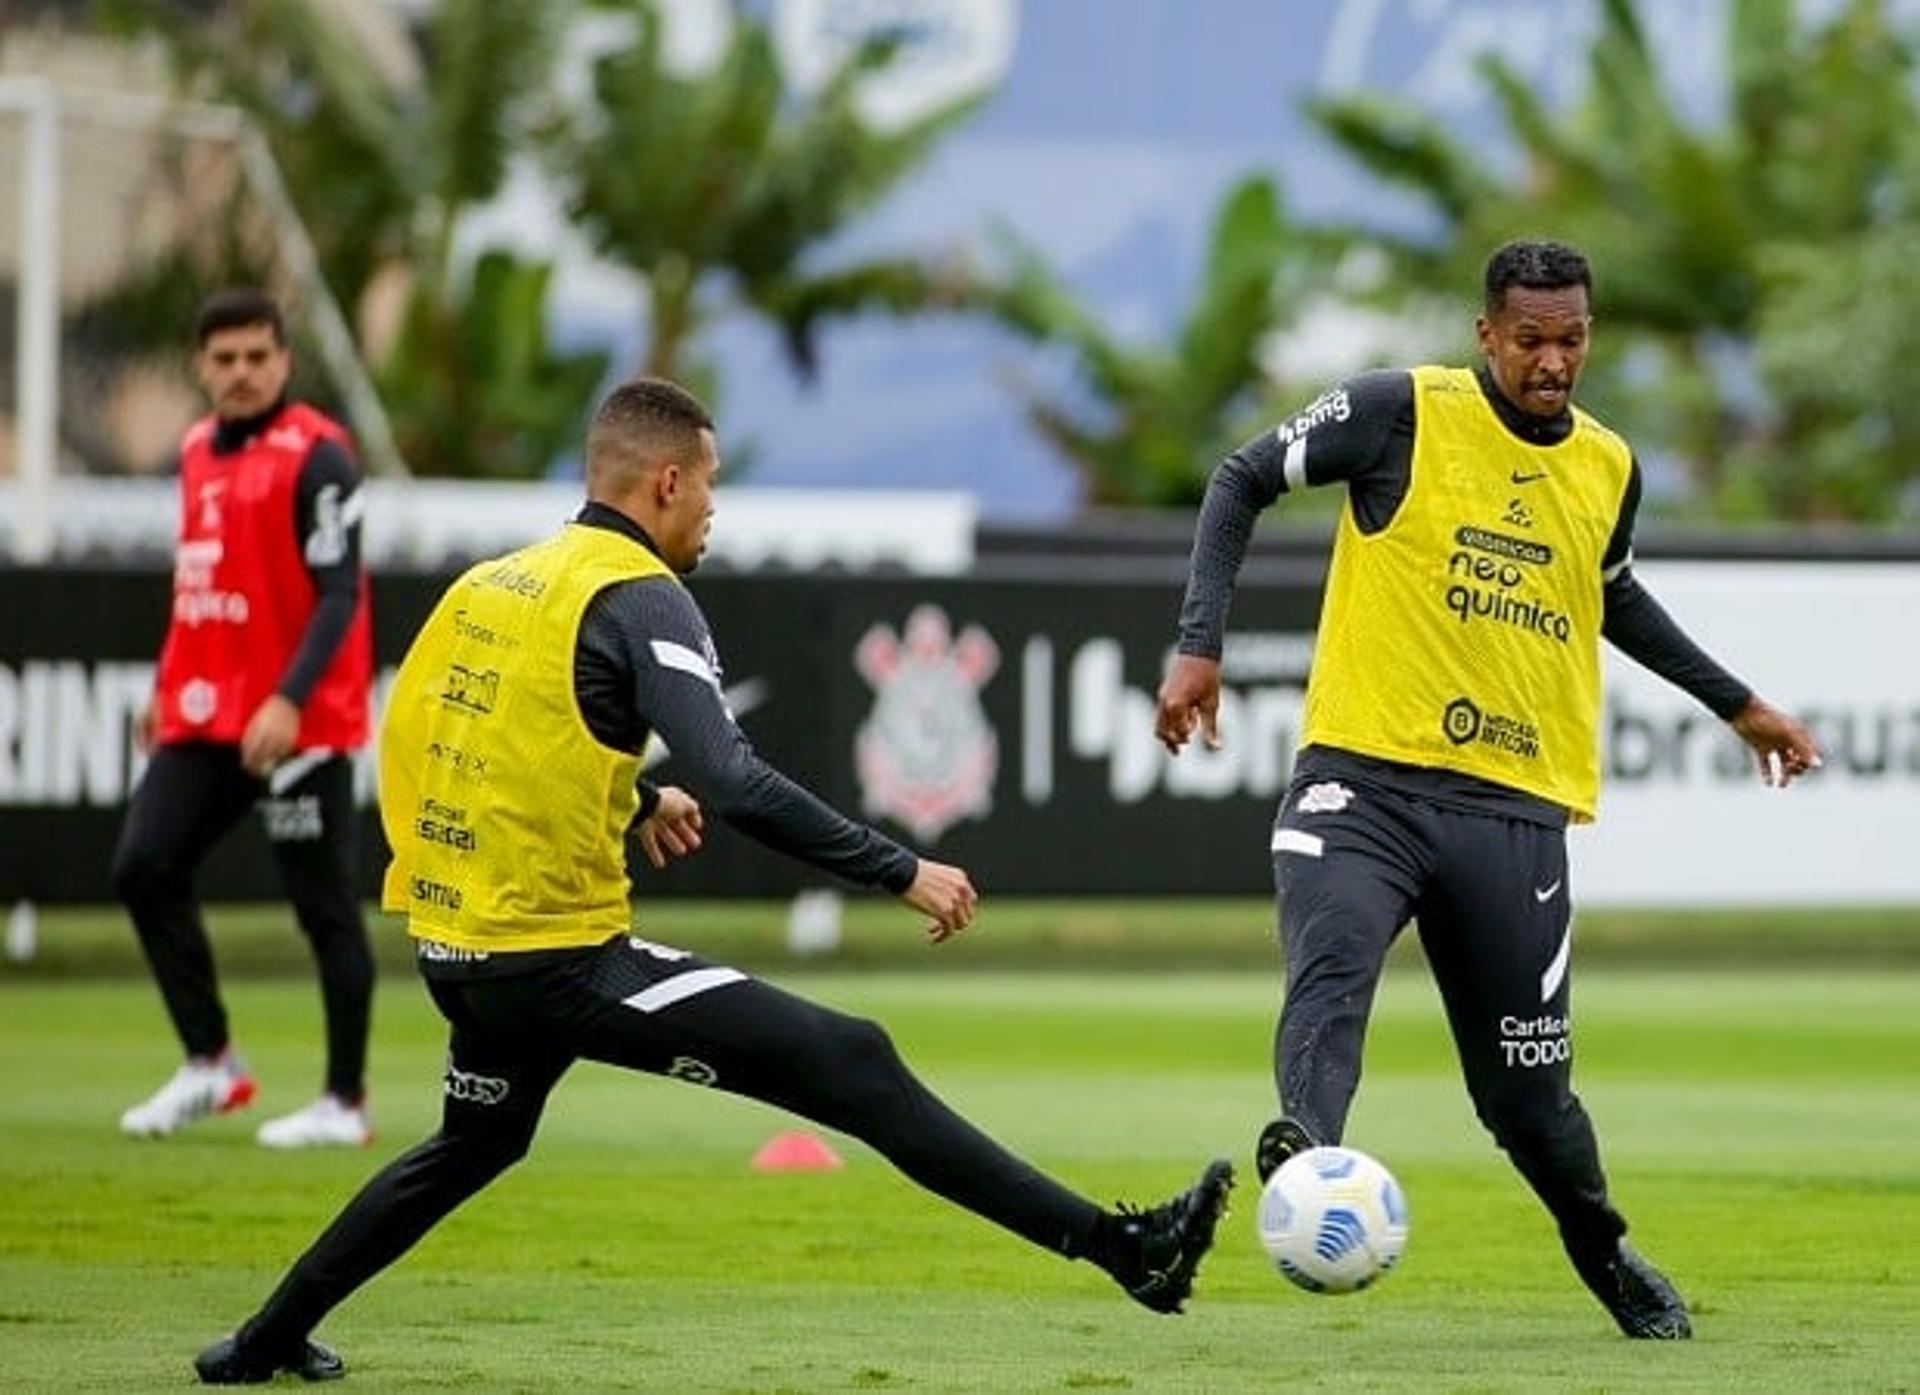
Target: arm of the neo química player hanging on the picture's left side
(1358,435)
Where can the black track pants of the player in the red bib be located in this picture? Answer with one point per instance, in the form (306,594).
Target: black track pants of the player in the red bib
(189,799)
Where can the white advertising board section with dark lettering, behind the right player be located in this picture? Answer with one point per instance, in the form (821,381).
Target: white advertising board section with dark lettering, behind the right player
(1685,818)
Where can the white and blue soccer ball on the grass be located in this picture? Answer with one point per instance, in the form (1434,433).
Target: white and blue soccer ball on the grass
(1333,1219)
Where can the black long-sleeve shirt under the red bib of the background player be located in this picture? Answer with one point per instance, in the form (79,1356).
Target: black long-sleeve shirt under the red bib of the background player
(327,521)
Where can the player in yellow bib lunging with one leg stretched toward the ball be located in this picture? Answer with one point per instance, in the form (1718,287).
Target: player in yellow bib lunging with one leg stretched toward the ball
(510,776)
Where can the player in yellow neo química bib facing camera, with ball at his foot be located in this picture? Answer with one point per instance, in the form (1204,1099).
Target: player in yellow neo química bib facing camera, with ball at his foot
(1451,728)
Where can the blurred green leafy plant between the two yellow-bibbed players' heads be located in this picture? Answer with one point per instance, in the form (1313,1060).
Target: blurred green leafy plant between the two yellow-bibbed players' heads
(1163,415)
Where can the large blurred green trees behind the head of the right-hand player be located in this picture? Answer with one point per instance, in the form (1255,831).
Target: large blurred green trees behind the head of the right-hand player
(1733,306)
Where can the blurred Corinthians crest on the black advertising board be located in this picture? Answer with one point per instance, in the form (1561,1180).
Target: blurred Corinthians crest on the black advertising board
(926,755)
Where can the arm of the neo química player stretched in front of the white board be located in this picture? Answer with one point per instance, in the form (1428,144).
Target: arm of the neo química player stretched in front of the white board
(1641,628)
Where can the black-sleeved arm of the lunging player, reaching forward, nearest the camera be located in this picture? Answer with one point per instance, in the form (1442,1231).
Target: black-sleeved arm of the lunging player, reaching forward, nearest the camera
(677,692)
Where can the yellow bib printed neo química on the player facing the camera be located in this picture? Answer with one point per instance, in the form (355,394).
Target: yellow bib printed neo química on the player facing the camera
(1466,634)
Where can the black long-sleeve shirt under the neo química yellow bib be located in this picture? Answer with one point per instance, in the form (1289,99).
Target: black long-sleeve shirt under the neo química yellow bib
(1368,444)
